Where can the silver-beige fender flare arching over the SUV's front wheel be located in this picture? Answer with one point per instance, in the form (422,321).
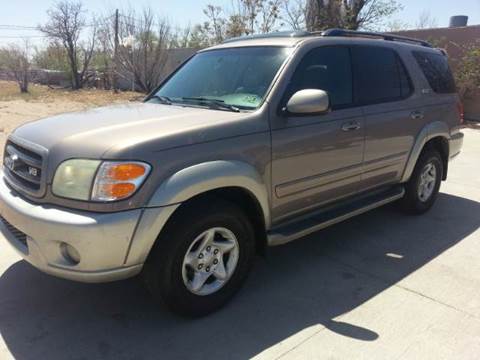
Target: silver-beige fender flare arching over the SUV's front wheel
(203,177)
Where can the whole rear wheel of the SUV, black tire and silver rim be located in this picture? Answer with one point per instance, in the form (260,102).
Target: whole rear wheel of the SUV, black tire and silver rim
(423,187)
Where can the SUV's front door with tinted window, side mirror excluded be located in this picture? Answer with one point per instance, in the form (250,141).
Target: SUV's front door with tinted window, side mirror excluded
(317,159)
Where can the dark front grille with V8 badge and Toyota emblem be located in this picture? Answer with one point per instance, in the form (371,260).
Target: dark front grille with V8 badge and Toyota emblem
(23,167)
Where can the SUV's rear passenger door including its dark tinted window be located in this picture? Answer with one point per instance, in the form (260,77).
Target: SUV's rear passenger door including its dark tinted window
(392,110)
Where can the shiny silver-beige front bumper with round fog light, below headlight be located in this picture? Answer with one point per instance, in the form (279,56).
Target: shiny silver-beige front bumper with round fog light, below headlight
(102,240)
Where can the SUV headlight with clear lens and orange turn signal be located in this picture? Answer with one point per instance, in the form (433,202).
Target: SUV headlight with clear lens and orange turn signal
(99,181)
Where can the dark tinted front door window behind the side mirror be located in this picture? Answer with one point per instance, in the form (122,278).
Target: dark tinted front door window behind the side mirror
(329,69)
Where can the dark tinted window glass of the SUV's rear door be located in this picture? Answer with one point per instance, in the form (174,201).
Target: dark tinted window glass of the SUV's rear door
(380,76)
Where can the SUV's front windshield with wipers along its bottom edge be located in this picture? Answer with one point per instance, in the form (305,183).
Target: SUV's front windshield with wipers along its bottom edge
(234,78)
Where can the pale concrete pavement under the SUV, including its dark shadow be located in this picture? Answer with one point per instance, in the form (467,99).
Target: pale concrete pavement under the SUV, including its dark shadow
(379,286)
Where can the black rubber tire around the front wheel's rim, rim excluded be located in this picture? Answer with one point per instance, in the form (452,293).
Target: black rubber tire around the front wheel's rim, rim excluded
(162,272)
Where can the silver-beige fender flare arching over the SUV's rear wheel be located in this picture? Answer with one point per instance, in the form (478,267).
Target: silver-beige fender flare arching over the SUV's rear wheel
(428,132)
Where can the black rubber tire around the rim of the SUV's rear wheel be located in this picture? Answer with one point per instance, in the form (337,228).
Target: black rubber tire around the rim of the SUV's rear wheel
(412,203)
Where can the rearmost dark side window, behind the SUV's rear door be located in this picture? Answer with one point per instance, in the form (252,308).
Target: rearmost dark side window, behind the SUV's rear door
(436,70)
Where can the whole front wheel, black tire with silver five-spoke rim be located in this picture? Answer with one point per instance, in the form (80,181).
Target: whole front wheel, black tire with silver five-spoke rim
(168,274)
